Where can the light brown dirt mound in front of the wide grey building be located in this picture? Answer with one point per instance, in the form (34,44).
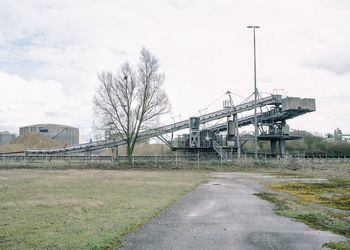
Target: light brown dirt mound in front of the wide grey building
(29,140)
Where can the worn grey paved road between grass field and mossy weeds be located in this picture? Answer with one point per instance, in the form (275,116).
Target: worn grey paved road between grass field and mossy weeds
(224,214)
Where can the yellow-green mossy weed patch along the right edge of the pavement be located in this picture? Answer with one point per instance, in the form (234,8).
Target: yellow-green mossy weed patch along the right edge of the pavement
(322,205)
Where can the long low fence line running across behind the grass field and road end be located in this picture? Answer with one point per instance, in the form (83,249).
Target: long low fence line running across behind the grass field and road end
(172,159)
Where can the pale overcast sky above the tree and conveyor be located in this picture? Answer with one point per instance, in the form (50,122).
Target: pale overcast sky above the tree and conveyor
(51,53)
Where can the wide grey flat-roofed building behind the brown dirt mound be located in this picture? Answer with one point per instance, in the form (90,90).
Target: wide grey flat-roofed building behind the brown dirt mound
(63,133)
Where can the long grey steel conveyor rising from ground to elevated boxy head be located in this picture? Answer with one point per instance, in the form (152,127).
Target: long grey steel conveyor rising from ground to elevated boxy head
(200,138)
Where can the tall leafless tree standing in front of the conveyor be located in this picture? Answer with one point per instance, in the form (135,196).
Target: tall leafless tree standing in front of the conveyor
(132,99)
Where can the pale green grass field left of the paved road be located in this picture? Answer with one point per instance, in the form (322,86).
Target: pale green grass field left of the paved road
(83,209)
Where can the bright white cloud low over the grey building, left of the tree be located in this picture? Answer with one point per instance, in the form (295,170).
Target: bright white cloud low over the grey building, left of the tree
(30,102)
